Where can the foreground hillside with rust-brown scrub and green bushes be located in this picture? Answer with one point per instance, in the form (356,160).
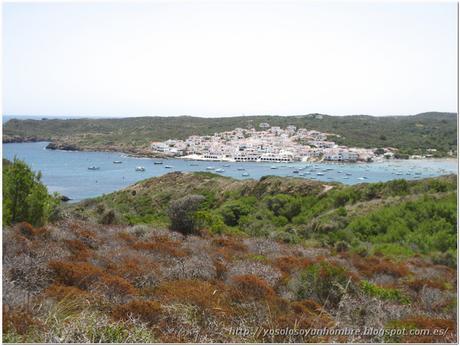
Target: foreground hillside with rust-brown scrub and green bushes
(263,256)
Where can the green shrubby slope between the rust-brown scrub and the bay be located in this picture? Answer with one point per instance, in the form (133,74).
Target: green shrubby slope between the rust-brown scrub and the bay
(399,218)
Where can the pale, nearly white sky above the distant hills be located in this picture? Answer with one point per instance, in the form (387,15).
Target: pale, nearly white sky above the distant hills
(222,58)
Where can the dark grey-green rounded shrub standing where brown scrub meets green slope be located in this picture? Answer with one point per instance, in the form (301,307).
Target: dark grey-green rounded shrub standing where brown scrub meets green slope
(182,213)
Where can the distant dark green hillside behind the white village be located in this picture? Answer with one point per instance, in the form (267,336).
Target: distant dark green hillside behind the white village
(411,134)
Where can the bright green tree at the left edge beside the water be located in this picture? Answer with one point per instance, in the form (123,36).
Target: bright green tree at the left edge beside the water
(25,198)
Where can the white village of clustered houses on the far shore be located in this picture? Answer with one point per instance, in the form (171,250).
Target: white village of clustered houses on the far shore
(269,144)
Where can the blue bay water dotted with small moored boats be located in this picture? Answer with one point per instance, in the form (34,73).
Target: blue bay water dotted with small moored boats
(67,172)
